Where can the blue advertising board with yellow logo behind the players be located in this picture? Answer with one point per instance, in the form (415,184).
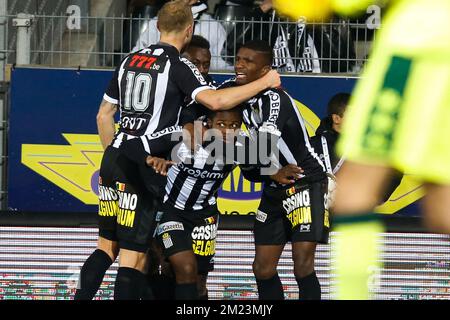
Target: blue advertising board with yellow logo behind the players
(55,152)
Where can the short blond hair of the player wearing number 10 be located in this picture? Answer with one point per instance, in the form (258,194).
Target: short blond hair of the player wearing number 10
(174,16)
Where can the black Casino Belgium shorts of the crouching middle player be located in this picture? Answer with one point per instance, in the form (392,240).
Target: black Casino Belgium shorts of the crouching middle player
(190,230)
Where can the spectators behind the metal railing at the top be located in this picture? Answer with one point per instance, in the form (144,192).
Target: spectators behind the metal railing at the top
(298,46)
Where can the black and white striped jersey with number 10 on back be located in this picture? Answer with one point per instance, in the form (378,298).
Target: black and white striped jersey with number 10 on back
(150,86)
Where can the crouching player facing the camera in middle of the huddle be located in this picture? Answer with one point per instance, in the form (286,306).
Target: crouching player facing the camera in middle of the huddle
(188,227)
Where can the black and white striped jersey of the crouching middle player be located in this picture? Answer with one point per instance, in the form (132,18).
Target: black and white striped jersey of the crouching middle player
(192,184)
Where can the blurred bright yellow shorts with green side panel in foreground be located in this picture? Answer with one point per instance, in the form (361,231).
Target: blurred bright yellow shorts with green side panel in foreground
(399,114)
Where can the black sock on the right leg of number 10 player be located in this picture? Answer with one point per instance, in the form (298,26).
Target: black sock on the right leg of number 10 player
(130,284)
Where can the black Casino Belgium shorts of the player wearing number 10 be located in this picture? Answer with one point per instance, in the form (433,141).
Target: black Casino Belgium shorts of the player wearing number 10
(127,205)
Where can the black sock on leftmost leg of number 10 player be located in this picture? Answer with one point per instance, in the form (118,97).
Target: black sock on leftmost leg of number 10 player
(91,275)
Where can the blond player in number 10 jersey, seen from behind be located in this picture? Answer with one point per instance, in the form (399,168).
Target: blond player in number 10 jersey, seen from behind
(148,87)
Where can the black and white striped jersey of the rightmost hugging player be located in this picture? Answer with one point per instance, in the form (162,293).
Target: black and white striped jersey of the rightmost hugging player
(273,111)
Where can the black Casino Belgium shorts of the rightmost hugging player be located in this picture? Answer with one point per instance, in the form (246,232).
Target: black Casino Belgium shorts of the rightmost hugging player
(296,213)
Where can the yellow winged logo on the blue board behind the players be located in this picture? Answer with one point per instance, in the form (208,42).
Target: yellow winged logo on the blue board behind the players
(74,167)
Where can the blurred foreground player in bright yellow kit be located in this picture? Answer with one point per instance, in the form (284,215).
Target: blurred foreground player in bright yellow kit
(398,118)
